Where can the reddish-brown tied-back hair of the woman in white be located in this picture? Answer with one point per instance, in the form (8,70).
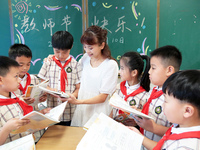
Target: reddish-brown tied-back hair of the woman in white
(96,35)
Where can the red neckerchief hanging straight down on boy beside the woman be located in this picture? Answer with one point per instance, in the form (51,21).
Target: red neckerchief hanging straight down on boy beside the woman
(63,74)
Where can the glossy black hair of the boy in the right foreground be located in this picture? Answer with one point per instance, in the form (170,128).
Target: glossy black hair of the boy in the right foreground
(185,86)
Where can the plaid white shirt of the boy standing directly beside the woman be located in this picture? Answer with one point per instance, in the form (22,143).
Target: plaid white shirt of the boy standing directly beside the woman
(50,70)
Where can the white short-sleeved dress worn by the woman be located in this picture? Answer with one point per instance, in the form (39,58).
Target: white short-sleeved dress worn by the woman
(102,79)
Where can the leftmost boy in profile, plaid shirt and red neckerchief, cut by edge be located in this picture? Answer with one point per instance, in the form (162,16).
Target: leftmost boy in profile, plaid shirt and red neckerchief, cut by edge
(10,105)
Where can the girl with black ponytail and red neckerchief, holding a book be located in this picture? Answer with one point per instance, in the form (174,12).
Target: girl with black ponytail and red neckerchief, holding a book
(135,84)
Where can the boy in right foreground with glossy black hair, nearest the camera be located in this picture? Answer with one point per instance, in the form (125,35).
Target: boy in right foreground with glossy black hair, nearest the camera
(181,107)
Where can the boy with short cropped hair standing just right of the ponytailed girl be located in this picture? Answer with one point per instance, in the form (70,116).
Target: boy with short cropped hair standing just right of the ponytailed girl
(164,62)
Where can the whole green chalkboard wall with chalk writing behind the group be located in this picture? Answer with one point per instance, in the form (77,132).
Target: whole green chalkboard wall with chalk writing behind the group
(139,25)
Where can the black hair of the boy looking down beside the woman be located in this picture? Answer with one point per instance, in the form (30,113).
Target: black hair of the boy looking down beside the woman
(62,40)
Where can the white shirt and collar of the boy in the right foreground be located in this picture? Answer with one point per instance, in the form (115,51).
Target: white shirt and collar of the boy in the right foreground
(183,144)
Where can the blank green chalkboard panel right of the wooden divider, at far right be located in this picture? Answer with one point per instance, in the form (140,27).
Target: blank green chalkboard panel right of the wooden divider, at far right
(180,26)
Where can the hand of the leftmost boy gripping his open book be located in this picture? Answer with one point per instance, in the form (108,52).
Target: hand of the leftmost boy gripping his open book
(15,123)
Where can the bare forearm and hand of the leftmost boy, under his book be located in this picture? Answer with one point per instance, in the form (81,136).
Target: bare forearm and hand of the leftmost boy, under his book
(11,125)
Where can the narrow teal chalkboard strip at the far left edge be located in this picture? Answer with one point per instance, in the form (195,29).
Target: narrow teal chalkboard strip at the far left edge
(5,40)
